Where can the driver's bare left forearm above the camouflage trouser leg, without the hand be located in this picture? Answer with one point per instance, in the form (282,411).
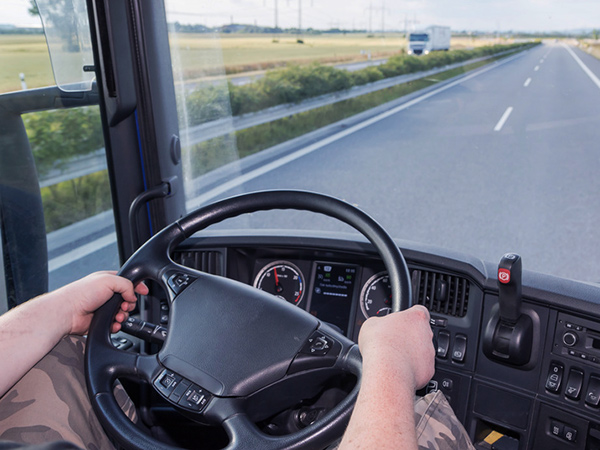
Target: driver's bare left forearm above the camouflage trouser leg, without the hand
(27,333)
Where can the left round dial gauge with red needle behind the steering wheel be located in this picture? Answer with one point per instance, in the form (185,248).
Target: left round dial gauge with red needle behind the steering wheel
(283,279)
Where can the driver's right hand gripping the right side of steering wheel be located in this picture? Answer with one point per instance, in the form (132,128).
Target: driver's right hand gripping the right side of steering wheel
(400,344)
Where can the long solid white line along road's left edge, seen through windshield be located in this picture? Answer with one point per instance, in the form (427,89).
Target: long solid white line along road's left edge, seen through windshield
(209,195)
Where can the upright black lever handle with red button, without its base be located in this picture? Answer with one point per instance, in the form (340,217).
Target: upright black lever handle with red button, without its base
(509,288)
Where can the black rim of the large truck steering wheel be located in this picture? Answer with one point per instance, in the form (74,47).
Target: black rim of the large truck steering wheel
(149,262)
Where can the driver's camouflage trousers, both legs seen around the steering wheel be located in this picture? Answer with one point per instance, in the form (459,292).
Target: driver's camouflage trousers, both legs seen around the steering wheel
(50,403)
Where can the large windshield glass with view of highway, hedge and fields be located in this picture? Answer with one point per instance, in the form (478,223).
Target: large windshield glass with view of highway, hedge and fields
(496,150)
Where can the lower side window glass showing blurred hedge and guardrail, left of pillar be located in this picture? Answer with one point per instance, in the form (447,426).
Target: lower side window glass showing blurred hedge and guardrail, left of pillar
(68,148)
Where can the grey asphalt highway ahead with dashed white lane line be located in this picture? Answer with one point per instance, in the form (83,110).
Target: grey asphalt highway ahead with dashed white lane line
(504,160)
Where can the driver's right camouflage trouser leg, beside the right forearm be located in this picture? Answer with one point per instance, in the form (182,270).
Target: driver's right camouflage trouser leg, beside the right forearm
(437,425)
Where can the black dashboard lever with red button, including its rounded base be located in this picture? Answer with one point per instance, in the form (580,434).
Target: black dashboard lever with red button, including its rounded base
(508,336)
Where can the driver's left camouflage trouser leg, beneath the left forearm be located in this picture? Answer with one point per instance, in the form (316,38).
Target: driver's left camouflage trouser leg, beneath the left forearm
(50,402)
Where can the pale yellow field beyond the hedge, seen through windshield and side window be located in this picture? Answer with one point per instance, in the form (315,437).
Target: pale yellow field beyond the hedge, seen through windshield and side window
(205,55)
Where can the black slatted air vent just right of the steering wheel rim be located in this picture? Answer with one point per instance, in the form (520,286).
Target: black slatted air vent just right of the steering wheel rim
(441,293)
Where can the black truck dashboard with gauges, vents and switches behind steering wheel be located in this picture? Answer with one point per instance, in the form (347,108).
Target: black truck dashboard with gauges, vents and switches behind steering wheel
(551,401)
